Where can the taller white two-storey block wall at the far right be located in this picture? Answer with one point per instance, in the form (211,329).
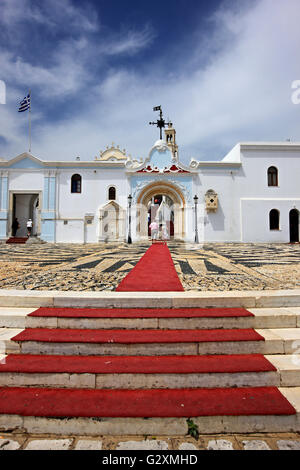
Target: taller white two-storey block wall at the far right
(257,198)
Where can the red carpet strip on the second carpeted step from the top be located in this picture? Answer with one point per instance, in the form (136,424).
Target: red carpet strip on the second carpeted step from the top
(62,335)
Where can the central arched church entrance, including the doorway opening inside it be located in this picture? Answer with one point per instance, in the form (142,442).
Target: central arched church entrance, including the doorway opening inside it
(165,203)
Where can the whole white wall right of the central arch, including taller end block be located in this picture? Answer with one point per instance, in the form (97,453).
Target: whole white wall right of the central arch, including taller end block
(245,199)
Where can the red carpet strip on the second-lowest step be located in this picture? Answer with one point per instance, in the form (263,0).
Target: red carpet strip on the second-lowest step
(136,364)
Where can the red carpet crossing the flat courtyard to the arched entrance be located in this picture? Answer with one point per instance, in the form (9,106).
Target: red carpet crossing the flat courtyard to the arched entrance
(155,272)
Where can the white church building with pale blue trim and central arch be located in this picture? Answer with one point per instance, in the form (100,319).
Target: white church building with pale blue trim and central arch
(251,195)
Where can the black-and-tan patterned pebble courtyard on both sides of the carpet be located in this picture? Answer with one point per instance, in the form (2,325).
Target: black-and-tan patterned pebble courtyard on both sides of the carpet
(96,267)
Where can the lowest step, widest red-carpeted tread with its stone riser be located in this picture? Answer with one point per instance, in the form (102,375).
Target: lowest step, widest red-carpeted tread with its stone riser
(28,413)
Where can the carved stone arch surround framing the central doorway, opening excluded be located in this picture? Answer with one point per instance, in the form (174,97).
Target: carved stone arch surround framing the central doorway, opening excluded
(163,188)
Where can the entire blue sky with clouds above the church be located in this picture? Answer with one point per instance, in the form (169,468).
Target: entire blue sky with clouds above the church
(222,71)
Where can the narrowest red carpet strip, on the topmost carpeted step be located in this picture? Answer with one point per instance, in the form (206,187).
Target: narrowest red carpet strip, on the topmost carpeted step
(140,312)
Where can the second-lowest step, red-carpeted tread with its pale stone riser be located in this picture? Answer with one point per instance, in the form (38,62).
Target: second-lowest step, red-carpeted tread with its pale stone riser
(140,372)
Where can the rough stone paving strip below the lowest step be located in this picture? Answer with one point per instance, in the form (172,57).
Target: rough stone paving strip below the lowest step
(152,443)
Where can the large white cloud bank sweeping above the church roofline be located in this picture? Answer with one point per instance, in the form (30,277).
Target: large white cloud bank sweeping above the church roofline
(243,92)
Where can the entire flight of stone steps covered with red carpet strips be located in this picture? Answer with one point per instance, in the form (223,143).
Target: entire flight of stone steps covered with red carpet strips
(77,377)
